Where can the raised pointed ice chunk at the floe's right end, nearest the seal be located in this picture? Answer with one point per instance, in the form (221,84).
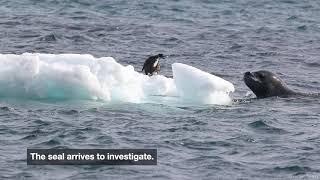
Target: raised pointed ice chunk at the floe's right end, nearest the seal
(198,86)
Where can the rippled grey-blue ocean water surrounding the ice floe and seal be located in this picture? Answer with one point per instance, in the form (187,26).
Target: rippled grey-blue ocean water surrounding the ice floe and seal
(273,138)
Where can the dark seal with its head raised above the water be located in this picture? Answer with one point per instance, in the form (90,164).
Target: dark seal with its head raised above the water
(266,84)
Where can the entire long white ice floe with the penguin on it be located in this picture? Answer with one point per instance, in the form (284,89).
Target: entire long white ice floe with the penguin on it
(82,76)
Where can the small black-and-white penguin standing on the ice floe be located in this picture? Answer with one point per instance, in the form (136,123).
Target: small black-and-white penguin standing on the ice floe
(152,64)
